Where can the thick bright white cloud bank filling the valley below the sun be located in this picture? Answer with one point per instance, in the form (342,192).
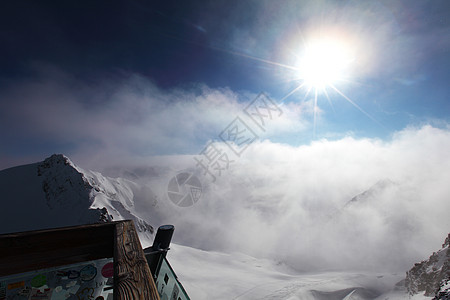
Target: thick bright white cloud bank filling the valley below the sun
(290,203)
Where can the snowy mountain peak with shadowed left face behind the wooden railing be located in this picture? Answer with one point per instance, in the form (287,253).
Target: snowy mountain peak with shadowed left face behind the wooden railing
(56,193)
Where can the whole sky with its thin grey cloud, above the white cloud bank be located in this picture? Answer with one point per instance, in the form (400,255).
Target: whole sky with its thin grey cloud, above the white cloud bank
(62,64)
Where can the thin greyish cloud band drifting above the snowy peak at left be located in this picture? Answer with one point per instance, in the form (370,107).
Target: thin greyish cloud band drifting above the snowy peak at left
(123,119)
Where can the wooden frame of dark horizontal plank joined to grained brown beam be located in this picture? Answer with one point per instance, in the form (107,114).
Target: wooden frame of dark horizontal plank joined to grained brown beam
(43,249)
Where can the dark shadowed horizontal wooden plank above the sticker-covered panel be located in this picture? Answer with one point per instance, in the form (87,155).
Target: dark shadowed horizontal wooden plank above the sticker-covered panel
(33,250)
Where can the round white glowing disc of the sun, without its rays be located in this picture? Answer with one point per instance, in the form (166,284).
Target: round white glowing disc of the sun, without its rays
(323,62)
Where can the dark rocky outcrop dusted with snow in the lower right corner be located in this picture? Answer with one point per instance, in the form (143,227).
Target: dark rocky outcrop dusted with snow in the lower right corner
(431,276)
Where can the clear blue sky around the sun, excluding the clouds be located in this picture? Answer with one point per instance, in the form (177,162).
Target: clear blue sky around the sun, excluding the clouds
(401,79)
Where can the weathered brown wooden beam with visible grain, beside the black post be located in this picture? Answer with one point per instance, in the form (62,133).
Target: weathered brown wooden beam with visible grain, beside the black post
(132,276)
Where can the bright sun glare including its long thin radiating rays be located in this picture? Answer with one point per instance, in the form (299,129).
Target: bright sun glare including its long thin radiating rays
(323,64)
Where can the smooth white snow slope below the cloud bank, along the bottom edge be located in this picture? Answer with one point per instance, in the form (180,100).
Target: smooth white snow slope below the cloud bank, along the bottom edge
(215,275)
